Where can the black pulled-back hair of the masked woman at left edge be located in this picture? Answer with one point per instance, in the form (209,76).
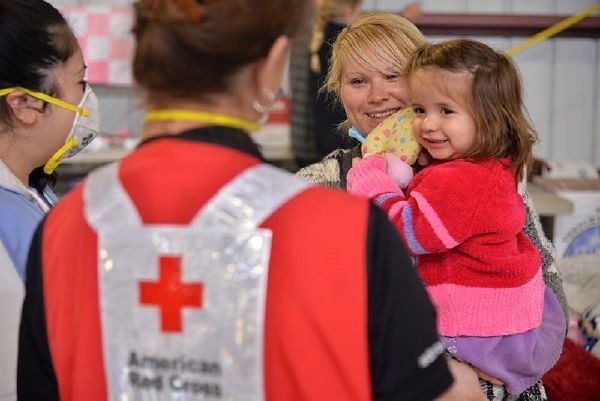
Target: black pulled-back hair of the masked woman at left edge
(34,38)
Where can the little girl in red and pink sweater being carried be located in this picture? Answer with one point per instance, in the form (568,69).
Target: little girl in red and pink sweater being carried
(462,215)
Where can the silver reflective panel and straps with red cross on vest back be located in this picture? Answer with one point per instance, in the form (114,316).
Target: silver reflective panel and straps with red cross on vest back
(182,307)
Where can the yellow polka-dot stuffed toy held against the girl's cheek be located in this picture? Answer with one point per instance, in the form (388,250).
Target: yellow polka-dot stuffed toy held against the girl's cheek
(394,137)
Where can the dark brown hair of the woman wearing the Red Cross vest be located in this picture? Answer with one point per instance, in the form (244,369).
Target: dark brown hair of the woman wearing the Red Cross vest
(189,49)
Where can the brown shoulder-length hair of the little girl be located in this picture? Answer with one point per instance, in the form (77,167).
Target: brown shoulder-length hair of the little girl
(495,98)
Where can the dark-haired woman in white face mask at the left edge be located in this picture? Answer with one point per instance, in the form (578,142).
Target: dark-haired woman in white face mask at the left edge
(47,113)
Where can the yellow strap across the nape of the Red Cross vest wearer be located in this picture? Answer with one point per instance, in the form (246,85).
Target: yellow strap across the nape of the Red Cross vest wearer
(219,119)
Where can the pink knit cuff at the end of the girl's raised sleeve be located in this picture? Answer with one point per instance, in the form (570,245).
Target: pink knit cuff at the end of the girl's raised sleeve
(368,178)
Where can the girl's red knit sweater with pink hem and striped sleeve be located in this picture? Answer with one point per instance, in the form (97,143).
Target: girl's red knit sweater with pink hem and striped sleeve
(463,219)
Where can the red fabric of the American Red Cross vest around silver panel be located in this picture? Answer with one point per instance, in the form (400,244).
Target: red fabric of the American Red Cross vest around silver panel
(315,345)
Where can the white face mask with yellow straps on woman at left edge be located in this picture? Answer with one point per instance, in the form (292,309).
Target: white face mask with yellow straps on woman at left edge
(86,125)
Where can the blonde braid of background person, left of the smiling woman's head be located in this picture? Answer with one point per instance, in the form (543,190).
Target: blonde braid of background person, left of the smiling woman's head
(327,10)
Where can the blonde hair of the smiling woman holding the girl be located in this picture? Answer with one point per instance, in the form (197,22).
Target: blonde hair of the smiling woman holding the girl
(372,40)
